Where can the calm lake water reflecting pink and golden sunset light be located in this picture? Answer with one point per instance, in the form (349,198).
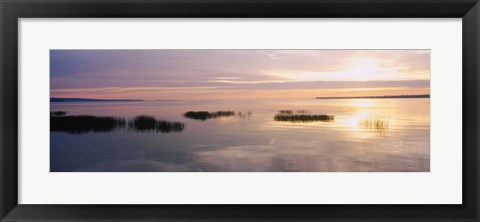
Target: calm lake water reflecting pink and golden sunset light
(252,141)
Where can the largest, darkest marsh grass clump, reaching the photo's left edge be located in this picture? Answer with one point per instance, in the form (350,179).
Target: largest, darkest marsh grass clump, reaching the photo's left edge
(85,124)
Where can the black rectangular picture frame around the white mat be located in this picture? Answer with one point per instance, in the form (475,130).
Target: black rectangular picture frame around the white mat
(12,10)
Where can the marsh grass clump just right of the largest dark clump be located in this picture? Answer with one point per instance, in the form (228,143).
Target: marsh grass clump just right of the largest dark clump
(150,123)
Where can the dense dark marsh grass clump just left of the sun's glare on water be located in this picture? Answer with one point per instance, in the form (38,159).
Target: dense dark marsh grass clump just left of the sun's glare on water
(301,116)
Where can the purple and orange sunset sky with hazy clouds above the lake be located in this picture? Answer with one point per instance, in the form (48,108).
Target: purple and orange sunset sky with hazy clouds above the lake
(237,74)
